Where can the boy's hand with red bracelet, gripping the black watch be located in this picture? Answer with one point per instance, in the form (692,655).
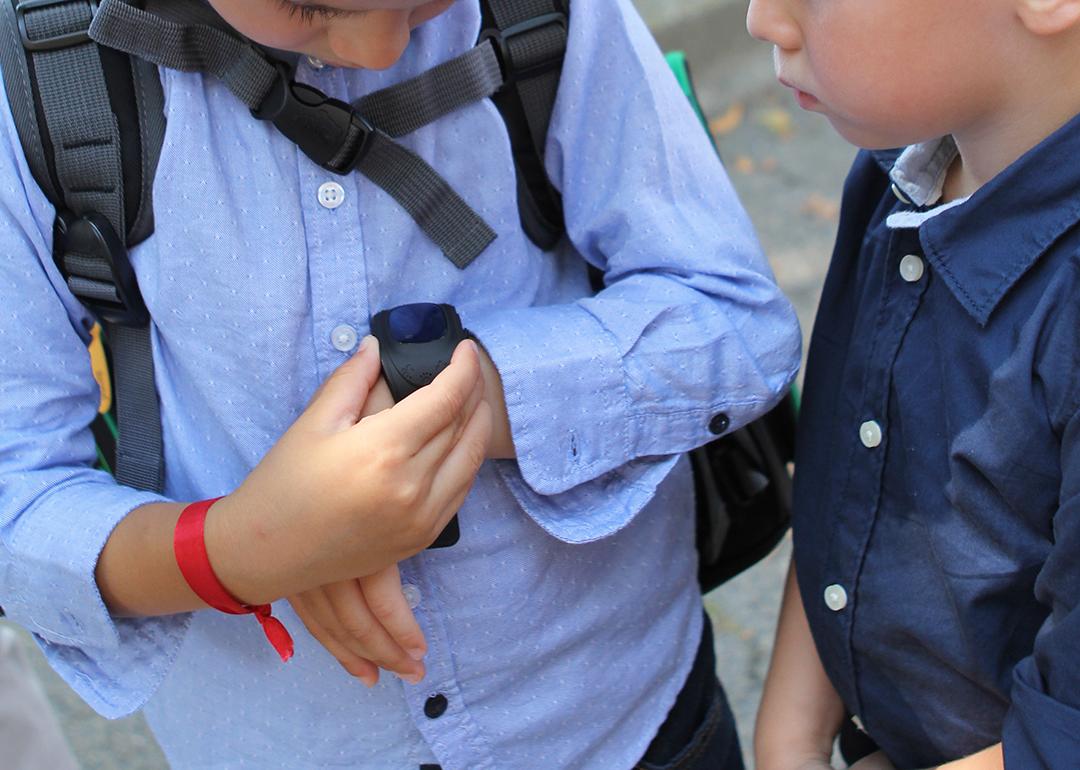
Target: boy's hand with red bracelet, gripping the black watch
(340,496)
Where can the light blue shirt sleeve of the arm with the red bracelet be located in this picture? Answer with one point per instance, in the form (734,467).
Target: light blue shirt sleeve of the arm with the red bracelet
(56,511)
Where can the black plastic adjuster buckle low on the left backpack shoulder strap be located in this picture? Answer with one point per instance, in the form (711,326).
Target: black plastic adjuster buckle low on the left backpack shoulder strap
(92,236)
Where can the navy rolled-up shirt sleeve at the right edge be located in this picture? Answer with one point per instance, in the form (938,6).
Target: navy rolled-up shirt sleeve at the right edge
(1043,726)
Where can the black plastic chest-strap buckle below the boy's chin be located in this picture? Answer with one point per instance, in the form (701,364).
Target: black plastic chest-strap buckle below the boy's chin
(327,130)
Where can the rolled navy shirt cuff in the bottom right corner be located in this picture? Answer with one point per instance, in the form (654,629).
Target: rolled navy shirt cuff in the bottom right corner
(1039,732)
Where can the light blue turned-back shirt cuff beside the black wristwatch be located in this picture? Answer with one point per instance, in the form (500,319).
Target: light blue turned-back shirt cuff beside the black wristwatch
(565,393)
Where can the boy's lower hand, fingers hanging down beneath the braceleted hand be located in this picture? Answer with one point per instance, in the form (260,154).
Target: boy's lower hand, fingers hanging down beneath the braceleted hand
(367,625)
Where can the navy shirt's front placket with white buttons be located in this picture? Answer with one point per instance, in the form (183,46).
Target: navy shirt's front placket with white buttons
(904,287)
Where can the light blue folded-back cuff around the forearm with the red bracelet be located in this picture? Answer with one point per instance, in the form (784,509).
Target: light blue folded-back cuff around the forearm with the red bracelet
(49,557)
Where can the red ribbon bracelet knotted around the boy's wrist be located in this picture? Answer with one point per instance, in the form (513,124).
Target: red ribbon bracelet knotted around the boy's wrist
(192,558)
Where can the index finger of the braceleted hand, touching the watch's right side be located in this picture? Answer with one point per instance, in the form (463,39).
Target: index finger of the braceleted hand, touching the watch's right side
(430,411)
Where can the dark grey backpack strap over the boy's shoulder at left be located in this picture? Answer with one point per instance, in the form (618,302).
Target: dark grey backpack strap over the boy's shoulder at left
(91,124)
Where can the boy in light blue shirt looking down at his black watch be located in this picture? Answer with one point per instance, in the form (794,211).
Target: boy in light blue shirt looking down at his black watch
(562,629)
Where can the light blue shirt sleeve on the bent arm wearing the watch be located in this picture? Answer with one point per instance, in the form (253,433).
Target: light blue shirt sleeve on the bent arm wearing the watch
(691,332)
